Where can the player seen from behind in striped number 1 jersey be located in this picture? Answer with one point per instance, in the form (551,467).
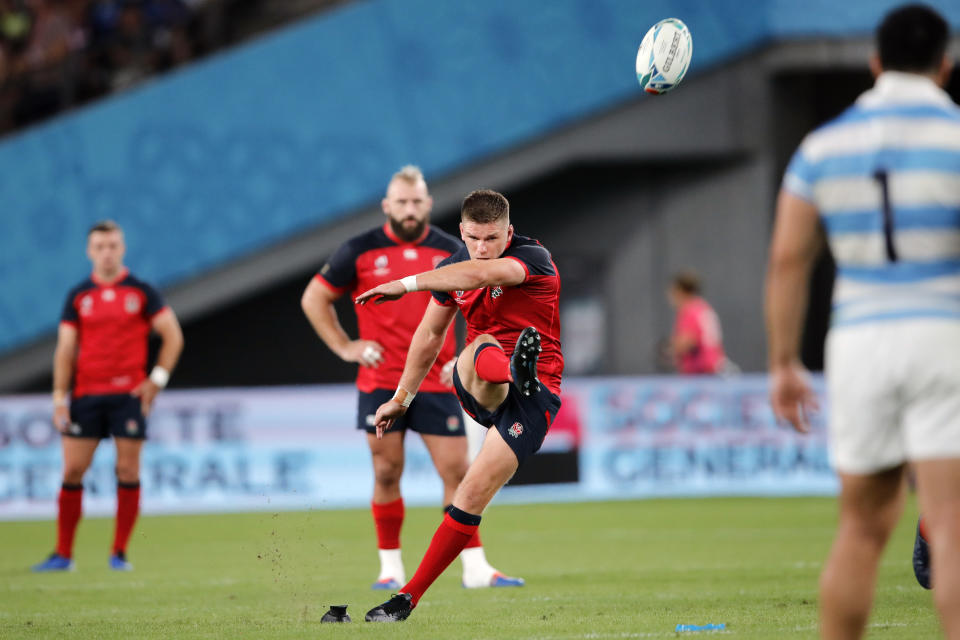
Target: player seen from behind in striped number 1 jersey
(883,180)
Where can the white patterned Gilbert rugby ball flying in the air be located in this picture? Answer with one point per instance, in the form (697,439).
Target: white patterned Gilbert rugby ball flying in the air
(664,56)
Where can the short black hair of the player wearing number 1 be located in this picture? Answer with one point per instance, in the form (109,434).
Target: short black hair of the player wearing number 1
(912,38)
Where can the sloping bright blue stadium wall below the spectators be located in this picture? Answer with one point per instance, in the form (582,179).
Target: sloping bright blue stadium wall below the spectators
(299,128)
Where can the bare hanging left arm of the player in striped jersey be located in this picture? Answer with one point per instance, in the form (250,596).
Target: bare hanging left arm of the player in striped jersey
(796,242)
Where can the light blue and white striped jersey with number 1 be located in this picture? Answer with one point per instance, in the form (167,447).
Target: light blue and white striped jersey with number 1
(885,177)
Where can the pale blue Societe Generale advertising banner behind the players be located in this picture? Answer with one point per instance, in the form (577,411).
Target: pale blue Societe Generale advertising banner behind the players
(298,448)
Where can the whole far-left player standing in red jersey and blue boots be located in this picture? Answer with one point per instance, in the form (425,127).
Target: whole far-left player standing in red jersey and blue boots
(102,347)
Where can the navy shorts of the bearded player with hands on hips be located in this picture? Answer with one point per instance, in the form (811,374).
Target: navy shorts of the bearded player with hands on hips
(432,414)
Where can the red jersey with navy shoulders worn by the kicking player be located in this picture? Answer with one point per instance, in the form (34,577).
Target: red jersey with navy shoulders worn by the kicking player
(504,312)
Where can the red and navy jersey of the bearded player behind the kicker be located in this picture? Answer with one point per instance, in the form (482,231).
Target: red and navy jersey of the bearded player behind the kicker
(371,259)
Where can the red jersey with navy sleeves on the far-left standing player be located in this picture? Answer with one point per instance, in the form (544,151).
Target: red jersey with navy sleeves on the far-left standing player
(113,326)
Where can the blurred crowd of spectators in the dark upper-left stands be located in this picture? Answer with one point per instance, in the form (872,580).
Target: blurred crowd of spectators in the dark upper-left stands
(60,53)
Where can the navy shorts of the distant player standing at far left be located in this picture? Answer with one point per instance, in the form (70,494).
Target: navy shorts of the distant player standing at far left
(118,415)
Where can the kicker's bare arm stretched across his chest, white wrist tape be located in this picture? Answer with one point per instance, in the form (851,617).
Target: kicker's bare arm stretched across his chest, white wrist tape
(460,276)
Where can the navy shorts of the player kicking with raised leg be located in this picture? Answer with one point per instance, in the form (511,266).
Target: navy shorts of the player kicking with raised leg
(521,420)
